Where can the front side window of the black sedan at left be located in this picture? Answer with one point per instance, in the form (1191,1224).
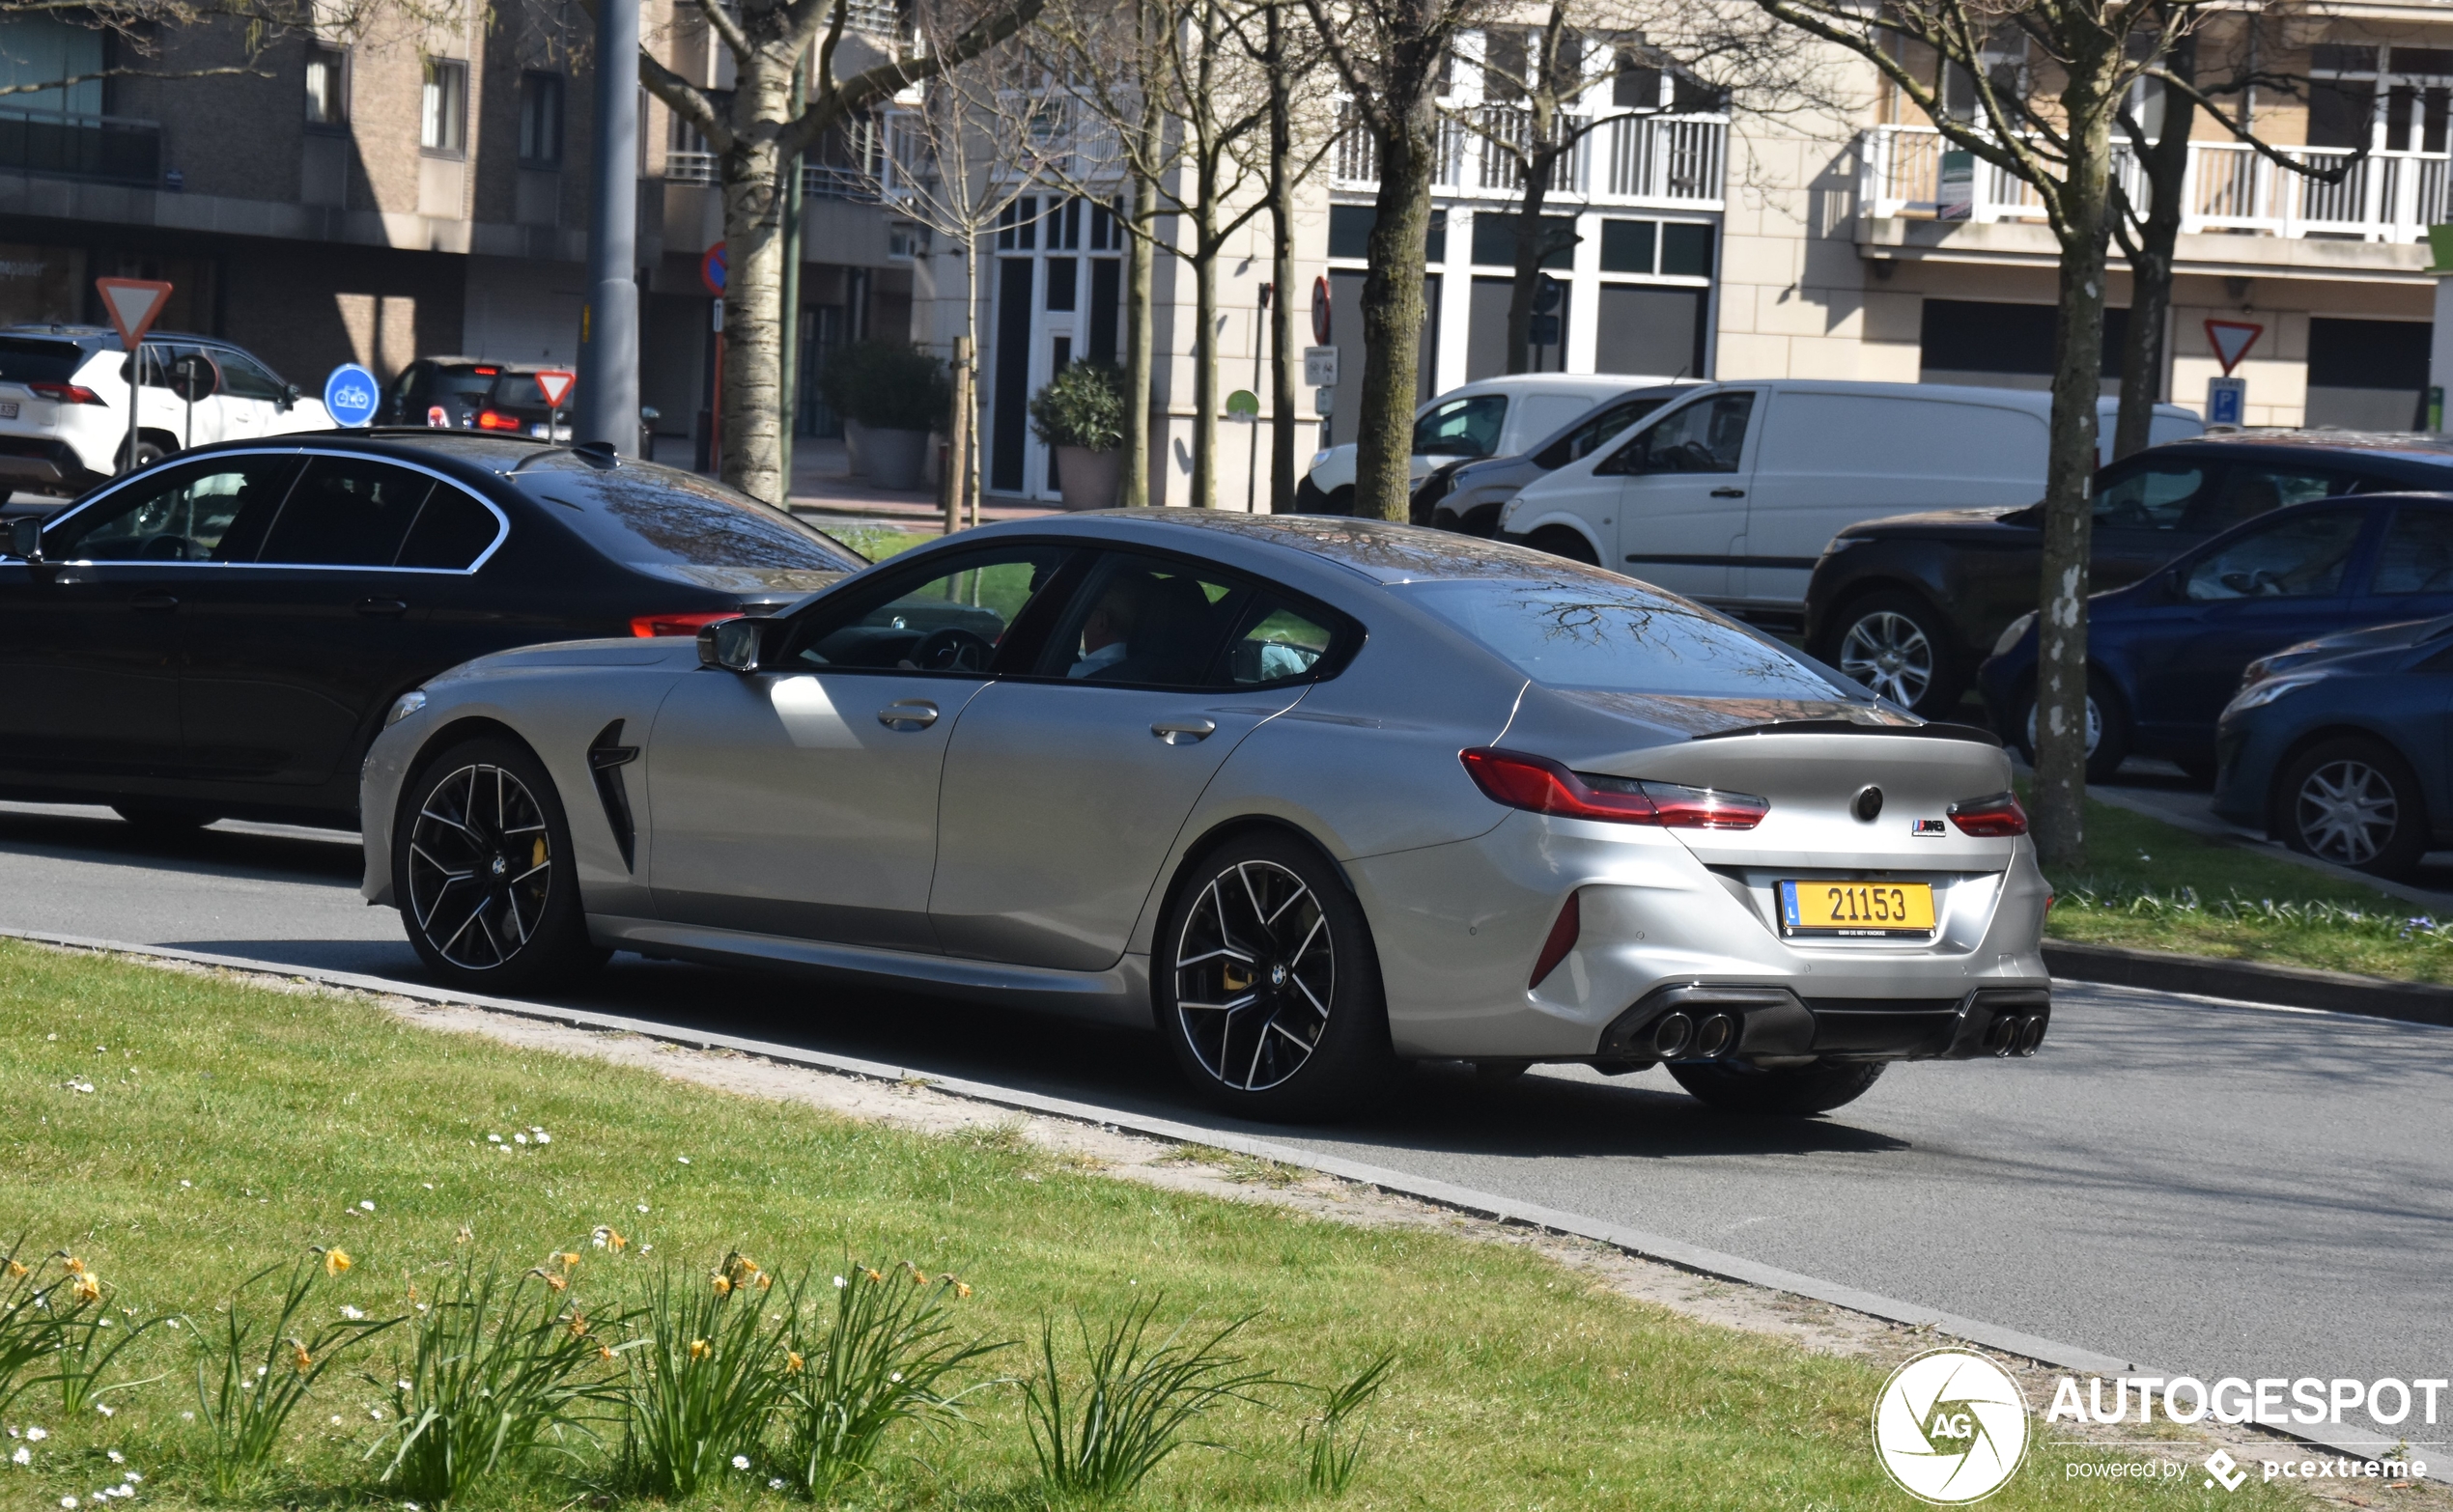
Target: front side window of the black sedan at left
(210,511)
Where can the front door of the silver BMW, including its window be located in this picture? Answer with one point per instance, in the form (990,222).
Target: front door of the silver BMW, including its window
(801,800)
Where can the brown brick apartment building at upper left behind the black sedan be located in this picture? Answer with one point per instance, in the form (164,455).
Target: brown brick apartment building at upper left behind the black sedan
(411,190)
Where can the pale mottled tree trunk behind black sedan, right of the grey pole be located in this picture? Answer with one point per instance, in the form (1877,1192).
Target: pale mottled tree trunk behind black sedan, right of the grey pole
(754,315)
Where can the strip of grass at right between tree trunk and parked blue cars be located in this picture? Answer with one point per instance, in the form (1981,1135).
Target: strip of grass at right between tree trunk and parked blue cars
(2160,888)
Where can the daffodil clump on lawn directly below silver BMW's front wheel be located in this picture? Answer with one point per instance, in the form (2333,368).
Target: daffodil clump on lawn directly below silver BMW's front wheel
(489,1374)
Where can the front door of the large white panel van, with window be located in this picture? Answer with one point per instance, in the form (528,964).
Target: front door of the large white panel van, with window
(1682,513)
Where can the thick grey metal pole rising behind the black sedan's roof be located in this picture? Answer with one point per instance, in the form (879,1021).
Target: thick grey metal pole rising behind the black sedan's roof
(610,320)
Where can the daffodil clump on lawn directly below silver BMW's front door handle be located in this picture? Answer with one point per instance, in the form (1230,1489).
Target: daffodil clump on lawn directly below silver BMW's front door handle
(884,1359)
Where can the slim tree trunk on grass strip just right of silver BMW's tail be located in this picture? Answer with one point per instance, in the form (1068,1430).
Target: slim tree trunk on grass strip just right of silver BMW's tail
(2079,354)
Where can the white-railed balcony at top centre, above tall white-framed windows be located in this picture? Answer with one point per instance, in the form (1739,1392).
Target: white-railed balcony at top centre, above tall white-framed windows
(1635,161)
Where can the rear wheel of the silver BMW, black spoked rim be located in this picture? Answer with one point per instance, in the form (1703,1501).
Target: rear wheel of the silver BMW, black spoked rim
(1267,984)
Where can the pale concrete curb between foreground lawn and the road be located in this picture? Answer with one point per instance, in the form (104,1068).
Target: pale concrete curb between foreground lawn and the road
(1463,1200)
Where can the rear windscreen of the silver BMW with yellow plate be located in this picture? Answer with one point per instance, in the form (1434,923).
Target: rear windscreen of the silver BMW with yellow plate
(1623,638)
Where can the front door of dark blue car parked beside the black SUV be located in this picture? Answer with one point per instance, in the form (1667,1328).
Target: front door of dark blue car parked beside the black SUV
(2231,604)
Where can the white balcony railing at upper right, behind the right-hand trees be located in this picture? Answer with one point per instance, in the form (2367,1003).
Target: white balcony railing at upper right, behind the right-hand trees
(2383,197)
